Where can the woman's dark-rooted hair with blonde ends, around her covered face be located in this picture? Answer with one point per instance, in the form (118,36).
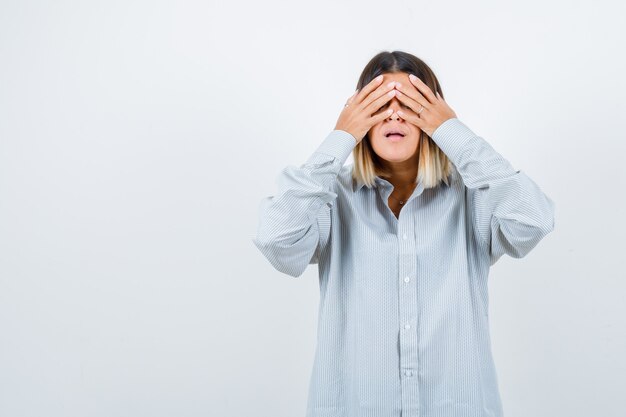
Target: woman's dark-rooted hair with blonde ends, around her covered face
(434,166)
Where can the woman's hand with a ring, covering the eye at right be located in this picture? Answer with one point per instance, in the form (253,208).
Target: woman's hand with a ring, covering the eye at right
(417,94)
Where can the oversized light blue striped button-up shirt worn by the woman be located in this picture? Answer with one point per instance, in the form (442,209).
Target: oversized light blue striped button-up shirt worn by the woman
(403,327)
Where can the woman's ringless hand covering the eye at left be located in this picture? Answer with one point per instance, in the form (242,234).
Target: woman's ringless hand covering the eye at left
(358,117)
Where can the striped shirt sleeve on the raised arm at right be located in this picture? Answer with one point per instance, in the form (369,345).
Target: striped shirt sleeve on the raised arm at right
(510,213)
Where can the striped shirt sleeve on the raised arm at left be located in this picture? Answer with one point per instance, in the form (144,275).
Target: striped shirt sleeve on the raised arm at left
(294,224)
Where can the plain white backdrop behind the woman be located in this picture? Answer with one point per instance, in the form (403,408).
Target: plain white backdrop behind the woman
(138,137)
